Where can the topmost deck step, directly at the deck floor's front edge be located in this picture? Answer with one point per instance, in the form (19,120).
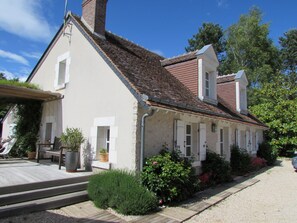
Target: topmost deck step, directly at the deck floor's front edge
(40,185)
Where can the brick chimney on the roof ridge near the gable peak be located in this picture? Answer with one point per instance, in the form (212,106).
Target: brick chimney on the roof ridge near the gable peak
(94,15)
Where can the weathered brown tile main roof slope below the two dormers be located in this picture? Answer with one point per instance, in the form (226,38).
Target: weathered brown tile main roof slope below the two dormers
(145,74)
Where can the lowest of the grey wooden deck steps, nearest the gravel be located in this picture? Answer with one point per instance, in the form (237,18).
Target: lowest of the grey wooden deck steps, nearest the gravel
(43,204)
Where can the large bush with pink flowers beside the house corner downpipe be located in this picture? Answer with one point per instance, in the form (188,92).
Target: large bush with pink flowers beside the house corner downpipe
(170,177)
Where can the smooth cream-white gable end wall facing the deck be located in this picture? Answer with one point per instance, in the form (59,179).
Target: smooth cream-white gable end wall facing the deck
(93,92)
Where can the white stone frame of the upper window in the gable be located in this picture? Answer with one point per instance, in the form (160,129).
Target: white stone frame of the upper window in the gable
(63,59)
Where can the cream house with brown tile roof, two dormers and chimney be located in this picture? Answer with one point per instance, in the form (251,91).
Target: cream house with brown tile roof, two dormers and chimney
(132,101)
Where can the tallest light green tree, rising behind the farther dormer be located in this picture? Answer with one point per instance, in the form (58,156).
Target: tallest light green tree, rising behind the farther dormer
(249,48)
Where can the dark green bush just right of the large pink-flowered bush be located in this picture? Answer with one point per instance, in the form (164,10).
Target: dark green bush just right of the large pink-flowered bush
(217,168)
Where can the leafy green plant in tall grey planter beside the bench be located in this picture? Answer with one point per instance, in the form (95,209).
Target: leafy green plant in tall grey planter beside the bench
(72,138)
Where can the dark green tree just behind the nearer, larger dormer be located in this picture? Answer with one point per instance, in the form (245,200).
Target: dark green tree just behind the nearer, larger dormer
(209,33)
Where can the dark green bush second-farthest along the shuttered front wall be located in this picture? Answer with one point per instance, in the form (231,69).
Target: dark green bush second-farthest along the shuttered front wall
(240,160)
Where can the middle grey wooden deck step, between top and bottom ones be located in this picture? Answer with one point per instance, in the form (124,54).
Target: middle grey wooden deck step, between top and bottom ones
(19,197)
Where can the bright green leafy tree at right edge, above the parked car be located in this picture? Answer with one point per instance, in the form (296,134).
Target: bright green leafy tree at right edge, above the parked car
(277,108)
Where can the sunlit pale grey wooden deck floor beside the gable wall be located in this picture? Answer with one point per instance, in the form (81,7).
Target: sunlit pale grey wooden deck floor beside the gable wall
(22,171)
